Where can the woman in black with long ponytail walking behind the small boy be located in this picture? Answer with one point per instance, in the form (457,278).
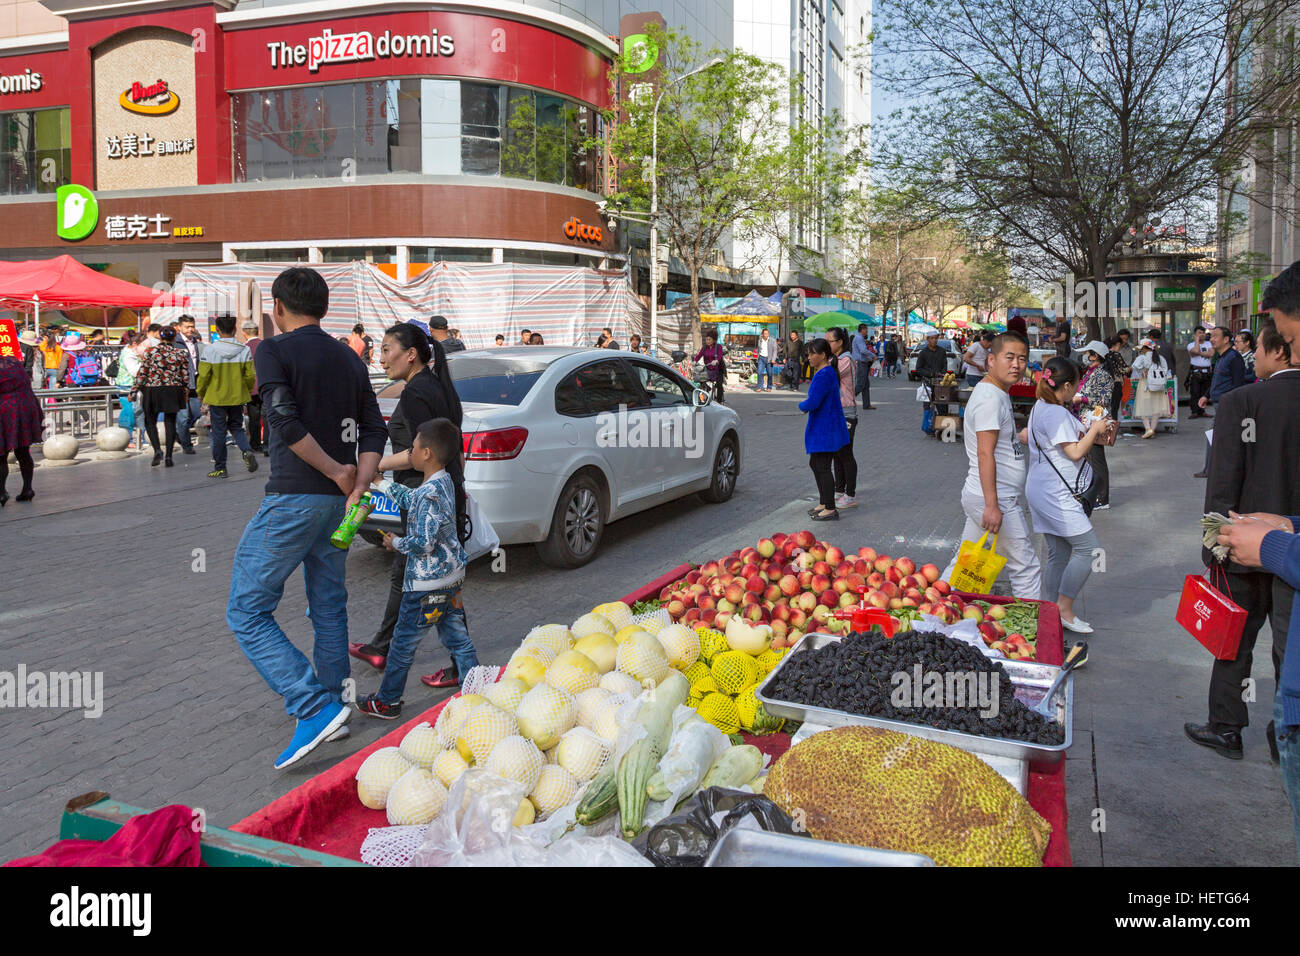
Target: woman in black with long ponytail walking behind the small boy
(410,356)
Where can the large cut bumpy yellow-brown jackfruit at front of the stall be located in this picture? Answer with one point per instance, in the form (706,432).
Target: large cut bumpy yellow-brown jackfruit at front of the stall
(882,789)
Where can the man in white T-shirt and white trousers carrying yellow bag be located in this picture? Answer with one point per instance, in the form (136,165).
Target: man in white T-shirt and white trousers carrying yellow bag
(994,495)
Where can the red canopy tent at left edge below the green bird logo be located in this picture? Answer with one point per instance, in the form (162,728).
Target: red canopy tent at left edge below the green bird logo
(66,284)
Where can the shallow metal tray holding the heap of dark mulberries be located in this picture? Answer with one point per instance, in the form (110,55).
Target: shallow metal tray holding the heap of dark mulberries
(1032,682)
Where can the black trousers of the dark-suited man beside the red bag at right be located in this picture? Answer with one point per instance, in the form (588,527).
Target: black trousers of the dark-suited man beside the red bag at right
(1264,599)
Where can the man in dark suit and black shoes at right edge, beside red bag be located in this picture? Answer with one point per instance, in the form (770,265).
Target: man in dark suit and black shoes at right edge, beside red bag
(1255,468)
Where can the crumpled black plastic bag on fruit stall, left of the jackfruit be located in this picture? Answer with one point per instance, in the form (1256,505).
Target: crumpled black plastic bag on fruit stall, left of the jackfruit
(687,837)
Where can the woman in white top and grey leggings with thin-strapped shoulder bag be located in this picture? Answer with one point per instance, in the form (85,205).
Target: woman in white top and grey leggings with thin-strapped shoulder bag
(1059,452)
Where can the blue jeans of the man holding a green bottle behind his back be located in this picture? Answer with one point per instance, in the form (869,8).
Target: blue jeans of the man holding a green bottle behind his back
(288,531)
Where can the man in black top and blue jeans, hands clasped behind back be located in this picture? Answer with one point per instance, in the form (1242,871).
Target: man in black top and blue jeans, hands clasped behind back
(327,436)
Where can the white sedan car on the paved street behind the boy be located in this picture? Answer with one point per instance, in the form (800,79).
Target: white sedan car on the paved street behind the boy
(562,442)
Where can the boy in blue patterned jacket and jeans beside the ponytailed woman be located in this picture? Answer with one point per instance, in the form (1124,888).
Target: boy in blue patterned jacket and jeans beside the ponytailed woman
(436,568)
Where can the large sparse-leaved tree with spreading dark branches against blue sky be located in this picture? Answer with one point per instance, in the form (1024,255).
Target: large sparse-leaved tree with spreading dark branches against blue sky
(1059,126)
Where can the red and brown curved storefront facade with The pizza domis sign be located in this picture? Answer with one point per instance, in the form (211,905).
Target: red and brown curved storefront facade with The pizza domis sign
(391,132)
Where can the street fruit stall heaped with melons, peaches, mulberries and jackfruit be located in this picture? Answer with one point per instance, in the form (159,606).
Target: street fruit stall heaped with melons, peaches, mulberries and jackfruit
(586,756)
